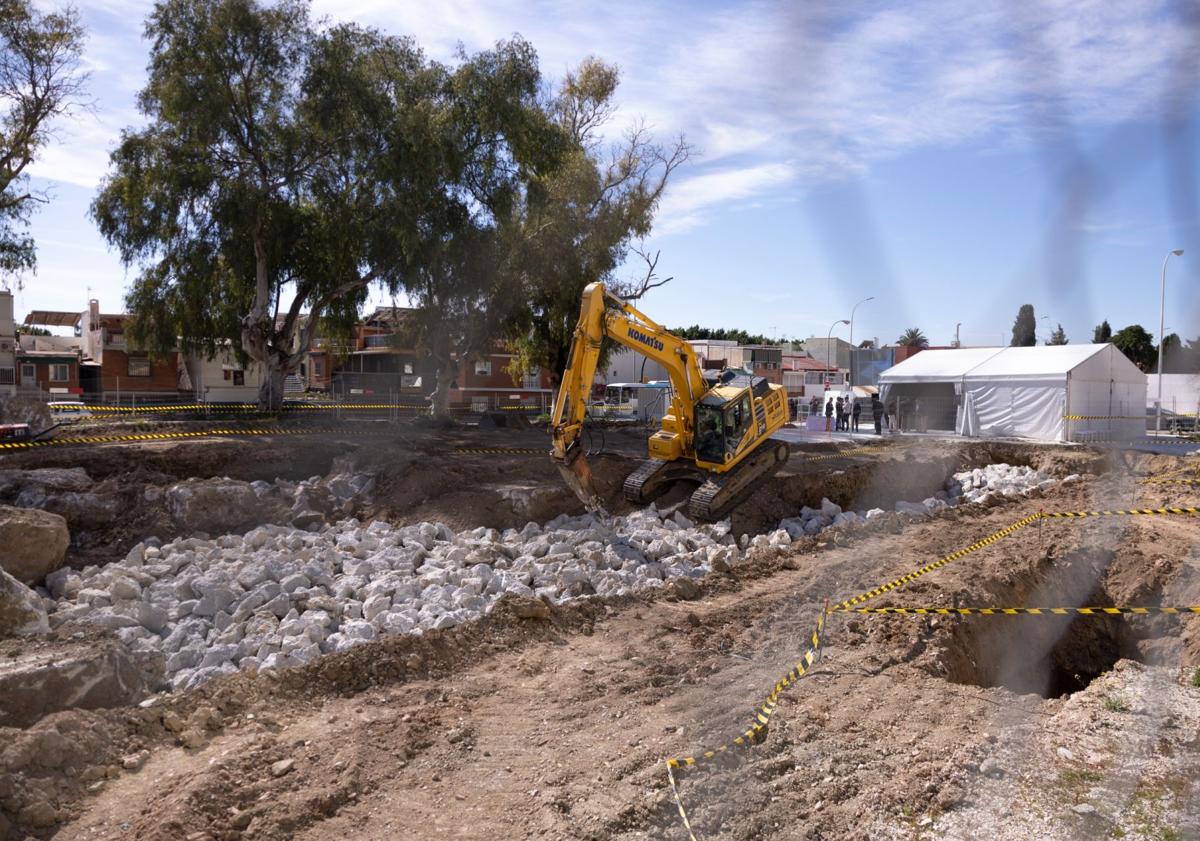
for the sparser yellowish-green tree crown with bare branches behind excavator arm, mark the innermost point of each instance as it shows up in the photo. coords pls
(575, 225)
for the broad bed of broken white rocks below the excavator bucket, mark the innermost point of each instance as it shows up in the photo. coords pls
(280, 597)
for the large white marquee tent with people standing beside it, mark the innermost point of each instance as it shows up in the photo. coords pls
(1047, 393)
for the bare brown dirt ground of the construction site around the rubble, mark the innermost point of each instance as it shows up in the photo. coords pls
(515, 728)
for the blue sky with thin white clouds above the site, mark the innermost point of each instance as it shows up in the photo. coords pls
(951, 163)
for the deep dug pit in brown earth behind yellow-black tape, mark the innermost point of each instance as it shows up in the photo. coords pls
(1047, 656)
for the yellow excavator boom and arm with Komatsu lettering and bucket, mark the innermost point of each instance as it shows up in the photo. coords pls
(626, 326)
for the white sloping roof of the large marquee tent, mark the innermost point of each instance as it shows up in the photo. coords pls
(1042, 362)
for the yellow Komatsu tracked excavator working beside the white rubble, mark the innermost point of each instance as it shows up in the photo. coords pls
(717, 434)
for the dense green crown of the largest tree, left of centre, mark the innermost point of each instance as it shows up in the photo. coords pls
(285, 161)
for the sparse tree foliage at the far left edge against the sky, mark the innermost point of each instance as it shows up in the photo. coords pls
(40, 80)
